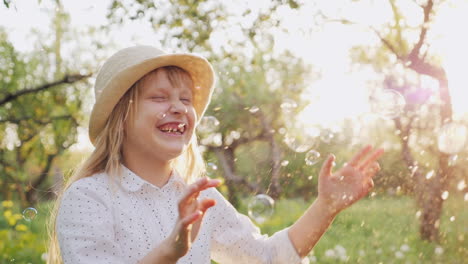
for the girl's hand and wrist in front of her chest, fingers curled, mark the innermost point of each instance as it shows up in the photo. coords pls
(191, 212)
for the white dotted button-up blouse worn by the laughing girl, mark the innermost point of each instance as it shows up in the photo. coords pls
(97, 225)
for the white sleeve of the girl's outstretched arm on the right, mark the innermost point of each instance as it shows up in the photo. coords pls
(235, 239)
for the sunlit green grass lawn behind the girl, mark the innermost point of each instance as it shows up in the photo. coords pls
(378, 230)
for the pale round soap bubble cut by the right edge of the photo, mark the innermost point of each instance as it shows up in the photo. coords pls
(452, 138)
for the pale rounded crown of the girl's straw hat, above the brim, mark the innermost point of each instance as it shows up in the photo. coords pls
(122, 60)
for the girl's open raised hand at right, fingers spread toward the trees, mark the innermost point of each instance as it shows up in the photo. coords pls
(351, 182)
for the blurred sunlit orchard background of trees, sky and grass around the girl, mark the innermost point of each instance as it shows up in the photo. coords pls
(296, 80)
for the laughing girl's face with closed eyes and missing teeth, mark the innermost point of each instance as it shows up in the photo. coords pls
(165, 118)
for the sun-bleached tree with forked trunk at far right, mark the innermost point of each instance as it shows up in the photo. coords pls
(420, 116)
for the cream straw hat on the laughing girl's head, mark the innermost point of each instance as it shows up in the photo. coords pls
(127, 66)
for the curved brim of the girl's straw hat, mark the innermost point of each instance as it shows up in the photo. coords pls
(199, 69)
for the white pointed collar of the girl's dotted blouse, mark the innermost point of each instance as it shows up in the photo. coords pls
(131, 182)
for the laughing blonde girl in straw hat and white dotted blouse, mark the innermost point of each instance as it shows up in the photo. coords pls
(139, 197)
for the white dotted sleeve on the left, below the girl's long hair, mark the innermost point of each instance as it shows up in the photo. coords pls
(85, 225)
